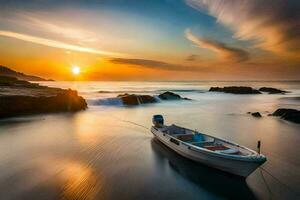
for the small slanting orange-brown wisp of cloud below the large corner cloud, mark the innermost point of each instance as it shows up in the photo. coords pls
(227, 52)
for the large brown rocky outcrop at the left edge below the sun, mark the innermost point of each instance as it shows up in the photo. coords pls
(23, 98)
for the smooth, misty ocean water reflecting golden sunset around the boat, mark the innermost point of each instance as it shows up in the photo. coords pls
(107, 152)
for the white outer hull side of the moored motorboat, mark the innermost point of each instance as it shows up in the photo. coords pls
(237, 167)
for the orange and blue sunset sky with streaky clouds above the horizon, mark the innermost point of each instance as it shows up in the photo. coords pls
(152, 40)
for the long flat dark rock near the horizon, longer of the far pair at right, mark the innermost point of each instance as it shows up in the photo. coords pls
(235, 90)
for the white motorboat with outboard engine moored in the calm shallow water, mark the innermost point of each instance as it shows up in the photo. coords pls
(208, 150)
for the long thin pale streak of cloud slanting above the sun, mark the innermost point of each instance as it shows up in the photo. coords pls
(55, 44)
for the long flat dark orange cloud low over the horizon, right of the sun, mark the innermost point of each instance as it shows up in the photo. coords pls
(154, 64)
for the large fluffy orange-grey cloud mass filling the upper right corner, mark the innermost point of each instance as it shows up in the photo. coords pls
(273, 24)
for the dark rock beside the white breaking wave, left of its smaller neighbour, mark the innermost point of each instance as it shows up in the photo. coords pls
(132, 99)
